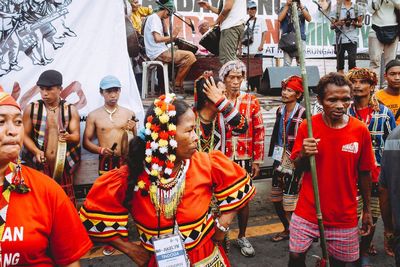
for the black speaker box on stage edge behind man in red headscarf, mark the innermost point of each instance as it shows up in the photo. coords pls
(273, 76)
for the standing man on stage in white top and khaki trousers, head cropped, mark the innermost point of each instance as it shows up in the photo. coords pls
(231, 19)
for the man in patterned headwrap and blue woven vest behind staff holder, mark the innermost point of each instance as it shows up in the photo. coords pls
(380, 122)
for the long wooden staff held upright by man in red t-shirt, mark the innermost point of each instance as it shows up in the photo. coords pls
(295, 17)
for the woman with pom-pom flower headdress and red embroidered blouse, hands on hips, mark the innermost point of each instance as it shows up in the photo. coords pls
(167, 187)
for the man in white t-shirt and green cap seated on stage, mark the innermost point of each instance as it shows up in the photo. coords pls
(156, 43)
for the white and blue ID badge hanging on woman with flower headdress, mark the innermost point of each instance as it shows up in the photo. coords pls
(170, 251)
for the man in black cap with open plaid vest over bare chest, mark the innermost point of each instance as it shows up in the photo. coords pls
(49, 124)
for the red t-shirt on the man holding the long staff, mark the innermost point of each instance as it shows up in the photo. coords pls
(341, 154)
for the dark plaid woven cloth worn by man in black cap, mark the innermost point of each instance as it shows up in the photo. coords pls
(39, 135)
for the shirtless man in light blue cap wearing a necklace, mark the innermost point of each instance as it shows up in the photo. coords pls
(108, 123)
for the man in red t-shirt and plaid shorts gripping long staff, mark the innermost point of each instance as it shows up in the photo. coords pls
(343, 153)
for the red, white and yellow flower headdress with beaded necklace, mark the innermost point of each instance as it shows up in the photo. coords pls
(160, 156)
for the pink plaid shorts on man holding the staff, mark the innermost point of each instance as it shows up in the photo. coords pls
(342, 243)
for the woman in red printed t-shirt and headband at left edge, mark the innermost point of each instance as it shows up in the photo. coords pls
(37, 218)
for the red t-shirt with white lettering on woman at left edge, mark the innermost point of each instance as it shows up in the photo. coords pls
(42, 227)
